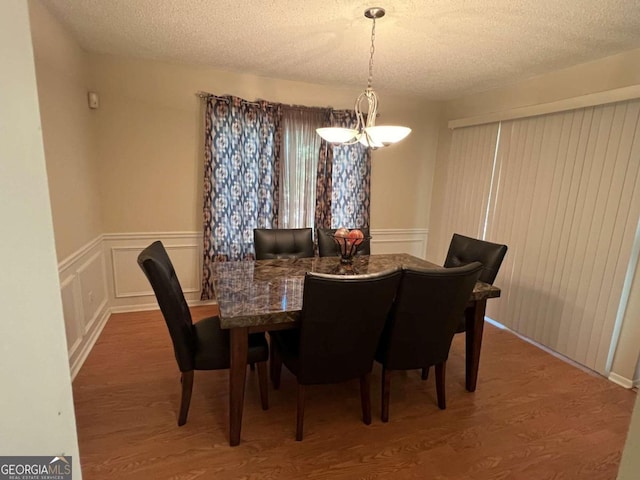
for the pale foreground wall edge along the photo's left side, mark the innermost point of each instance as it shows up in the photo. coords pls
(37, 405)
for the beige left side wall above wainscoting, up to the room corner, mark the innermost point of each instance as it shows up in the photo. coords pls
(63, 82)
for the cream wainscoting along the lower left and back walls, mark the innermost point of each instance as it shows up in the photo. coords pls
(103, 277)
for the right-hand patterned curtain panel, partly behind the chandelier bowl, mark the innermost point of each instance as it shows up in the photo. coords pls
(351, 179)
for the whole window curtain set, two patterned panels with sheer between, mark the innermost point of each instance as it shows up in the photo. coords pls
(243, 142)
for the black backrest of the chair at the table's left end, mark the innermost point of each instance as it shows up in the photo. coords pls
(157, 266)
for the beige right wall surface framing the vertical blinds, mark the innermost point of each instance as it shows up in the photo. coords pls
(607, 74)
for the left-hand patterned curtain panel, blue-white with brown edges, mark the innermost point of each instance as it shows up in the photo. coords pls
(242, 142)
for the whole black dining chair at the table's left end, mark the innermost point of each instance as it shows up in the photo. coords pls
(200, 346)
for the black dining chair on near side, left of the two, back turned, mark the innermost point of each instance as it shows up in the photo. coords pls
(340, 325)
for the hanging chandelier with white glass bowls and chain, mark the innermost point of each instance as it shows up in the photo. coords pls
(366, 131)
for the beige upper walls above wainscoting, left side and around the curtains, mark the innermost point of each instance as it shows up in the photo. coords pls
(136, 163)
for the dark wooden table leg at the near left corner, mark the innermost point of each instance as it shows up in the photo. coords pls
(237, 378)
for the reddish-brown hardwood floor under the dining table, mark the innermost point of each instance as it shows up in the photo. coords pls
(532, 417)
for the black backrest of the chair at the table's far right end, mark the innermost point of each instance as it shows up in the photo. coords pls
(464, 250)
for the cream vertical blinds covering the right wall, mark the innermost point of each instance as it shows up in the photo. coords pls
(565, 198)
